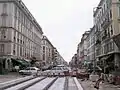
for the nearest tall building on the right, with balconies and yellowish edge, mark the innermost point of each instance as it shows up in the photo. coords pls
(107, 24)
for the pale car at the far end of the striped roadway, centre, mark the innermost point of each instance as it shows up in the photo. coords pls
(57, 71)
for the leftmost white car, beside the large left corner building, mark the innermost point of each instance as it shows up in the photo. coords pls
(29, 71)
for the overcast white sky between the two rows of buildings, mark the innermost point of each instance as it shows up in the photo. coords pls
(63, 21)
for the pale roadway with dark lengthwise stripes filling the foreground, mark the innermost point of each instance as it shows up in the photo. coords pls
(43, 83)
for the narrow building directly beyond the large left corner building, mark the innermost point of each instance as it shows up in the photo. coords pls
(47, 52)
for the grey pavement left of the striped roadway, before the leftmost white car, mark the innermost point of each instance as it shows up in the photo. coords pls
(10, 76)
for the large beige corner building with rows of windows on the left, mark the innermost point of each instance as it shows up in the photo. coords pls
(20, 34)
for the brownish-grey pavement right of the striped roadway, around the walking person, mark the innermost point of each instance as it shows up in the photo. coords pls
(89, 85)
